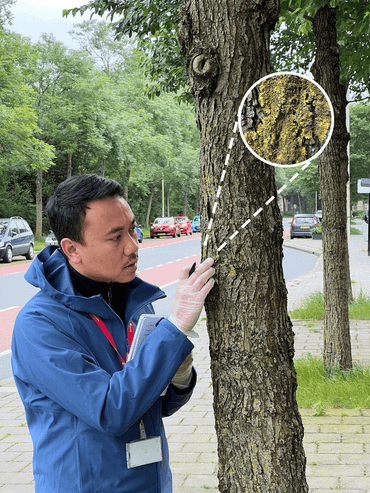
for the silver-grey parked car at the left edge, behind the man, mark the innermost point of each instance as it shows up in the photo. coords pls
(16, 238)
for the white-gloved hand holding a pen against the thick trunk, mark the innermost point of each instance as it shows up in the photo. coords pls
(190, 295)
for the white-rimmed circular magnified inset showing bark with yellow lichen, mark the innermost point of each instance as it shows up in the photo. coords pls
(286, 119)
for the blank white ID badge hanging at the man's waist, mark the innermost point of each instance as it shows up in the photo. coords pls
(143, 451)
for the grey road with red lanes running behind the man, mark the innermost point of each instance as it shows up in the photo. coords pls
(160, 262)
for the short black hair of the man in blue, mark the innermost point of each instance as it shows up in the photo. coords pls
(66, 208)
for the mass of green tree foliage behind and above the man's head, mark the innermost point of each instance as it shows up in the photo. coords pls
(101, 119)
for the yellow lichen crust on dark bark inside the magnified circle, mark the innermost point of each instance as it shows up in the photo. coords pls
(296, 111)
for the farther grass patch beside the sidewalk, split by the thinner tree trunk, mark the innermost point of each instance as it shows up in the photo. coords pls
(313, 308)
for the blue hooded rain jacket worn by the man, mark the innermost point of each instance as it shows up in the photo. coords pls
(81, 406)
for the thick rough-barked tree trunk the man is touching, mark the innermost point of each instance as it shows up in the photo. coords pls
(258, 425)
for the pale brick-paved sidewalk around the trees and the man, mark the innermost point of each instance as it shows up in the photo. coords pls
(337, 444)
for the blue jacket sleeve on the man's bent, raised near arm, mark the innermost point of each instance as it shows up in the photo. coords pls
(59, 367)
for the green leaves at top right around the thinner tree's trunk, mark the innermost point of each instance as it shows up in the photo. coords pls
(294, 36)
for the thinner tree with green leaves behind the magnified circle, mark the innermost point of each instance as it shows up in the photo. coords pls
(336, 68)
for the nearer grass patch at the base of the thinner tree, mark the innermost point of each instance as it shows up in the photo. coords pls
(317, 389)
